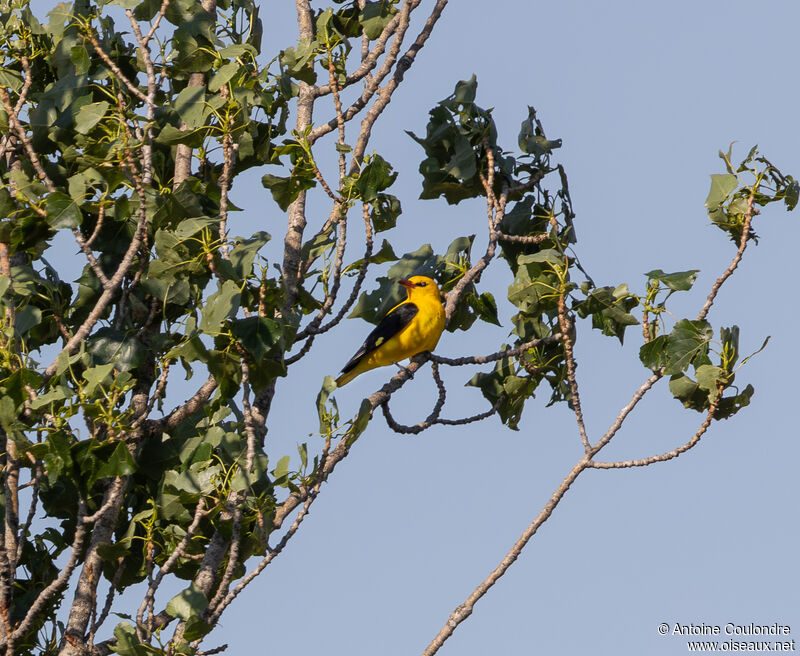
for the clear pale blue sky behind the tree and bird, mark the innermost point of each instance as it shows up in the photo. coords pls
(643, 95)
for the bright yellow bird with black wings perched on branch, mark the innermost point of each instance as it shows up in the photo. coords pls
(411, 327)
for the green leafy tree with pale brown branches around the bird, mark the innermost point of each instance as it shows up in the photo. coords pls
(129, 143)
